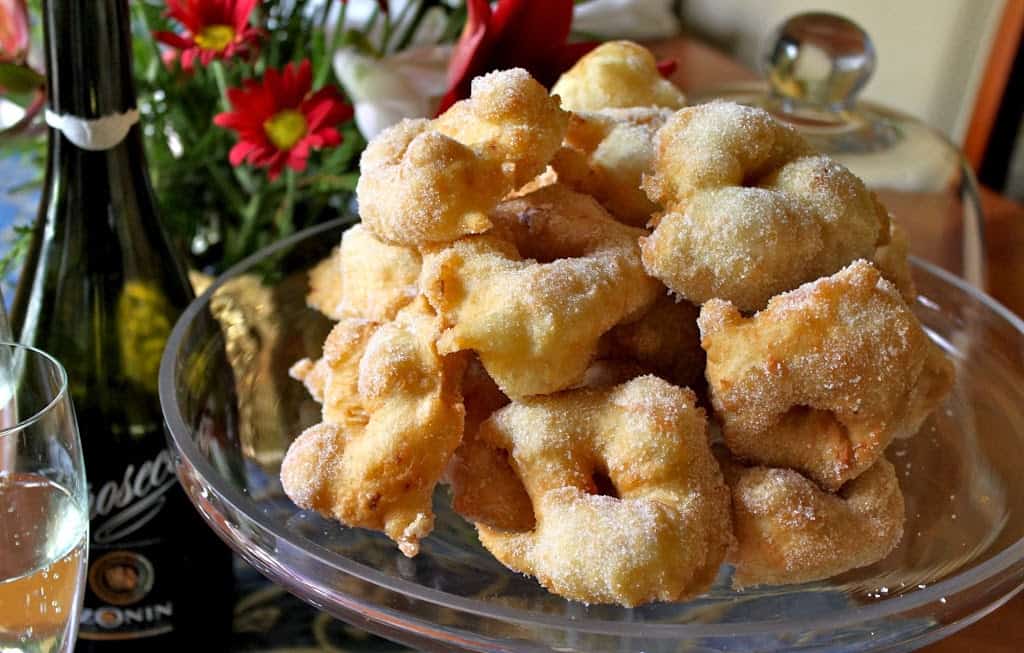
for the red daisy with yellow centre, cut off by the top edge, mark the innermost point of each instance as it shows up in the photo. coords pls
(215, 29)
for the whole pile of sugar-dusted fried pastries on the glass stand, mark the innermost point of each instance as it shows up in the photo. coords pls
(549, 297)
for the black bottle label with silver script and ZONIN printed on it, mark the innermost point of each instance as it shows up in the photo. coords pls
(126, 596)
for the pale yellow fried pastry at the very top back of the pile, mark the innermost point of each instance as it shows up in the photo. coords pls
(615, 75)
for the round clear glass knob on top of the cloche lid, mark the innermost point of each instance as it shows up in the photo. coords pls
(820, 61)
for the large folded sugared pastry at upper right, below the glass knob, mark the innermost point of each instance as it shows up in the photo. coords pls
(750, 211)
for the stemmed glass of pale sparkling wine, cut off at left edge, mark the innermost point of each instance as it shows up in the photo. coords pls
(45, 518)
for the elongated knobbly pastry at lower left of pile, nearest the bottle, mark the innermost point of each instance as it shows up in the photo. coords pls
(382, 475)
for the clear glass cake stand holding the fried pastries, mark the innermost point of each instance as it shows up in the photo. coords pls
(232, 411)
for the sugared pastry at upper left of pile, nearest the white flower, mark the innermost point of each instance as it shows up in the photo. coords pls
(434, 182)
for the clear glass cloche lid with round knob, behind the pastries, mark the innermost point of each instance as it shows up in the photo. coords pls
(815, 68)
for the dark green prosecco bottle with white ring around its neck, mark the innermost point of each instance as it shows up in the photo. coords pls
(101, 290)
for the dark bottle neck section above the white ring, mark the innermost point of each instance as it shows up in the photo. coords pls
(89, 58)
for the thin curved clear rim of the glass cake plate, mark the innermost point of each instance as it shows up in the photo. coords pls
(178, 428)
